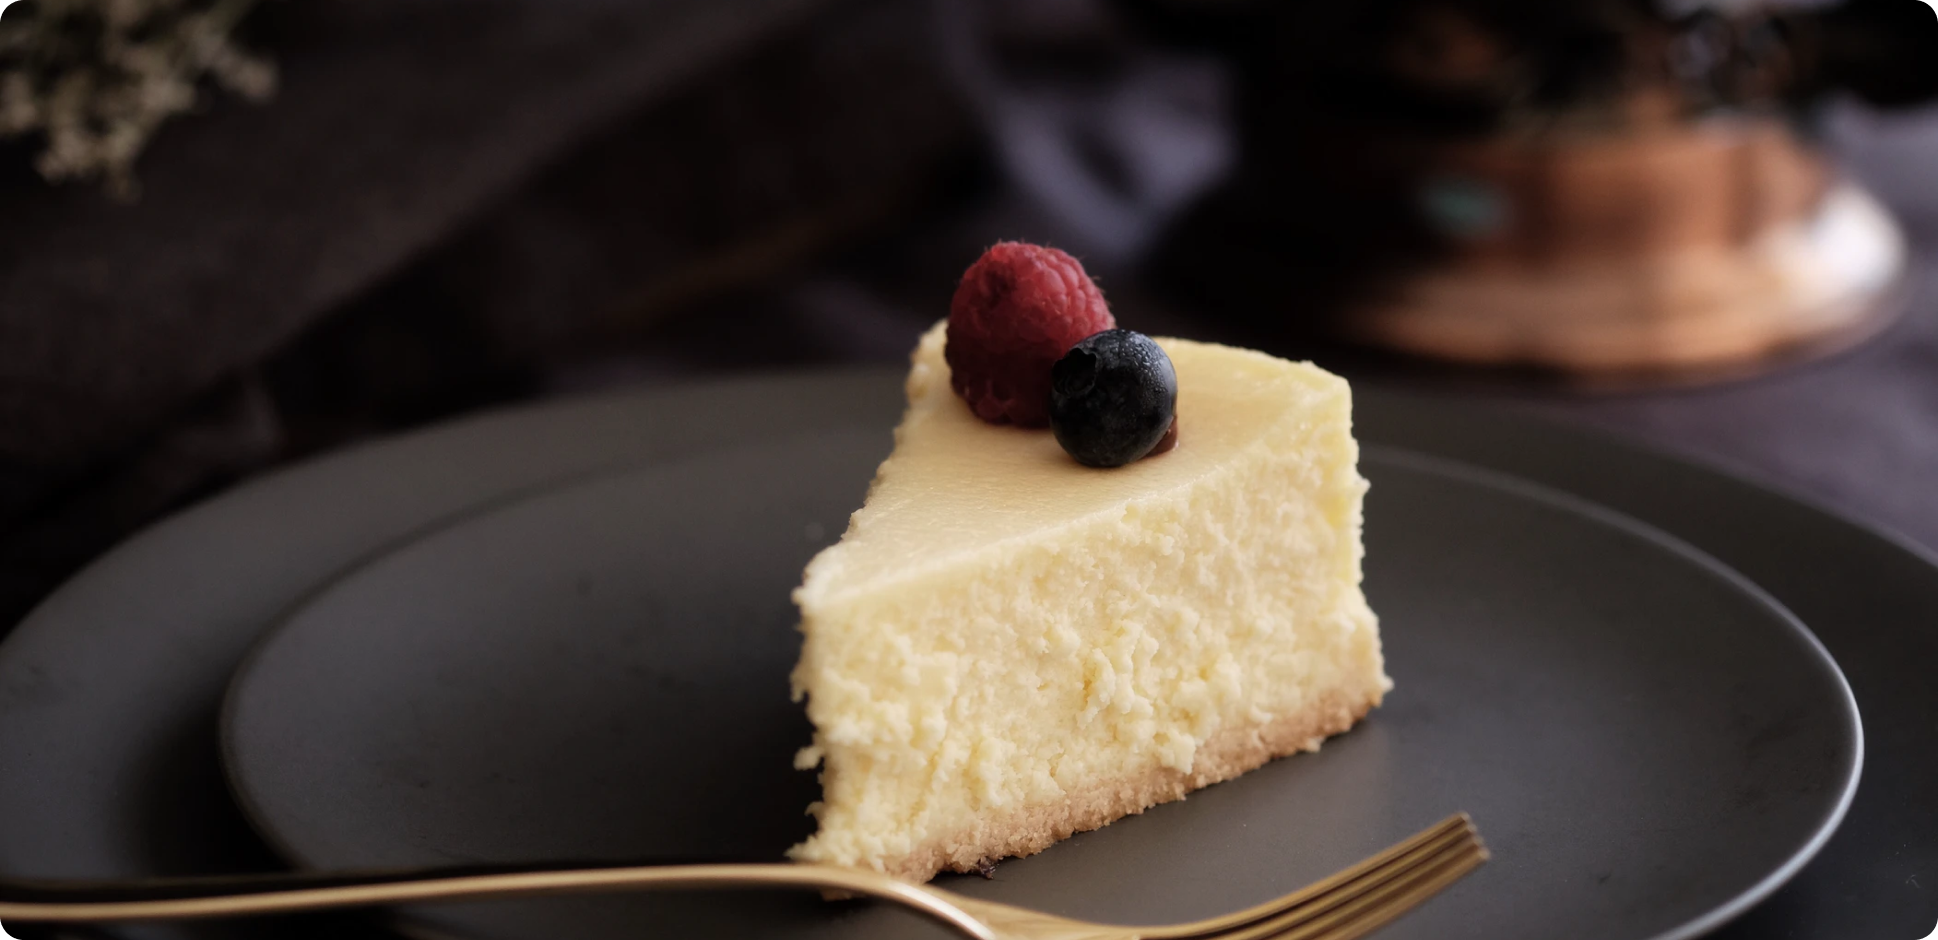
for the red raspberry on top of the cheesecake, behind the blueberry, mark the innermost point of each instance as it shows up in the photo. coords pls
(1016, 313)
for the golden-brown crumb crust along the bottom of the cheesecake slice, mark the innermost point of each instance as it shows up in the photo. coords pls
(1226, 755)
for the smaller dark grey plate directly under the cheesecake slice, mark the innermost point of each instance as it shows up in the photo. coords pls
(1644, 737)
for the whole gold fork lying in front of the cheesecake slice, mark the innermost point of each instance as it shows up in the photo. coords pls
(1340, 908)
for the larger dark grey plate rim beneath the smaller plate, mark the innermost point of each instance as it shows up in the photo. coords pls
(109, 691)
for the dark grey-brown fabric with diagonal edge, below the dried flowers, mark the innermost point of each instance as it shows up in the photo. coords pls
(398, 121)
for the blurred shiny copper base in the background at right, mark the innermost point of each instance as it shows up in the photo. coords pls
(1706, 245)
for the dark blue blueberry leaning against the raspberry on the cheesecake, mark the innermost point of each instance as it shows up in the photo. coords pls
(1113, 398)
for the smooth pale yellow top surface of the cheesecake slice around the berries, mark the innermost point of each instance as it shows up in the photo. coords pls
(958, 486)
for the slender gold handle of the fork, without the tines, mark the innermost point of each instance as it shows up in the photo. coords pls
(290, 893)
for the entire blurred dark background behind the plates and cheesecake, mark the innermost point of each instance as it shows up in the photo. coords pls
(237, 234)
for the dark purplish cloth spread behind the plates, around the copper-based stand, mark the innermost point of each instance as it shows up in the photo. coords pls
(456, 204)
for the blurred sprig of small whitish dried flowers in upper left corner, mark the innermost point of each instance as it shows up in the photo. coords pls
(96, 78)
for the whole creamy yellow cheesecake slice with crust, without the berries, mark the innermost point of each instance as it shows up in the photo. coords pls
(1009, 648)
